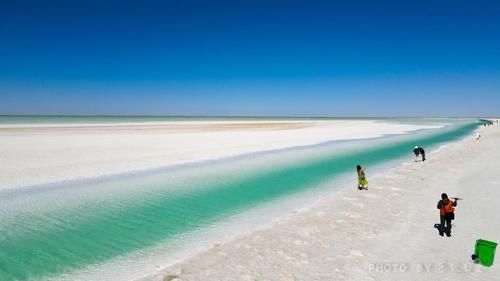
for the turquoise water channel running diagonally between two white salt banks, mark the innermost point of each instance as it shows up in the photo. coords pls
(66, 228)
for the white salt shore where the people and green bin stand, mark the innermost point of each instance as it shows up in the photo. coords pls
(385, 233)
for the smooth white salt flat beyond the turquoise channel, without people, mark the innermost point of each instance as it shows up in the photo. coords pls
(37, 154)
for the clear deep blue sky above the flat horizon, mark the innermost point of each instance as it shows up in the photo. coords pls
(272, 58)
